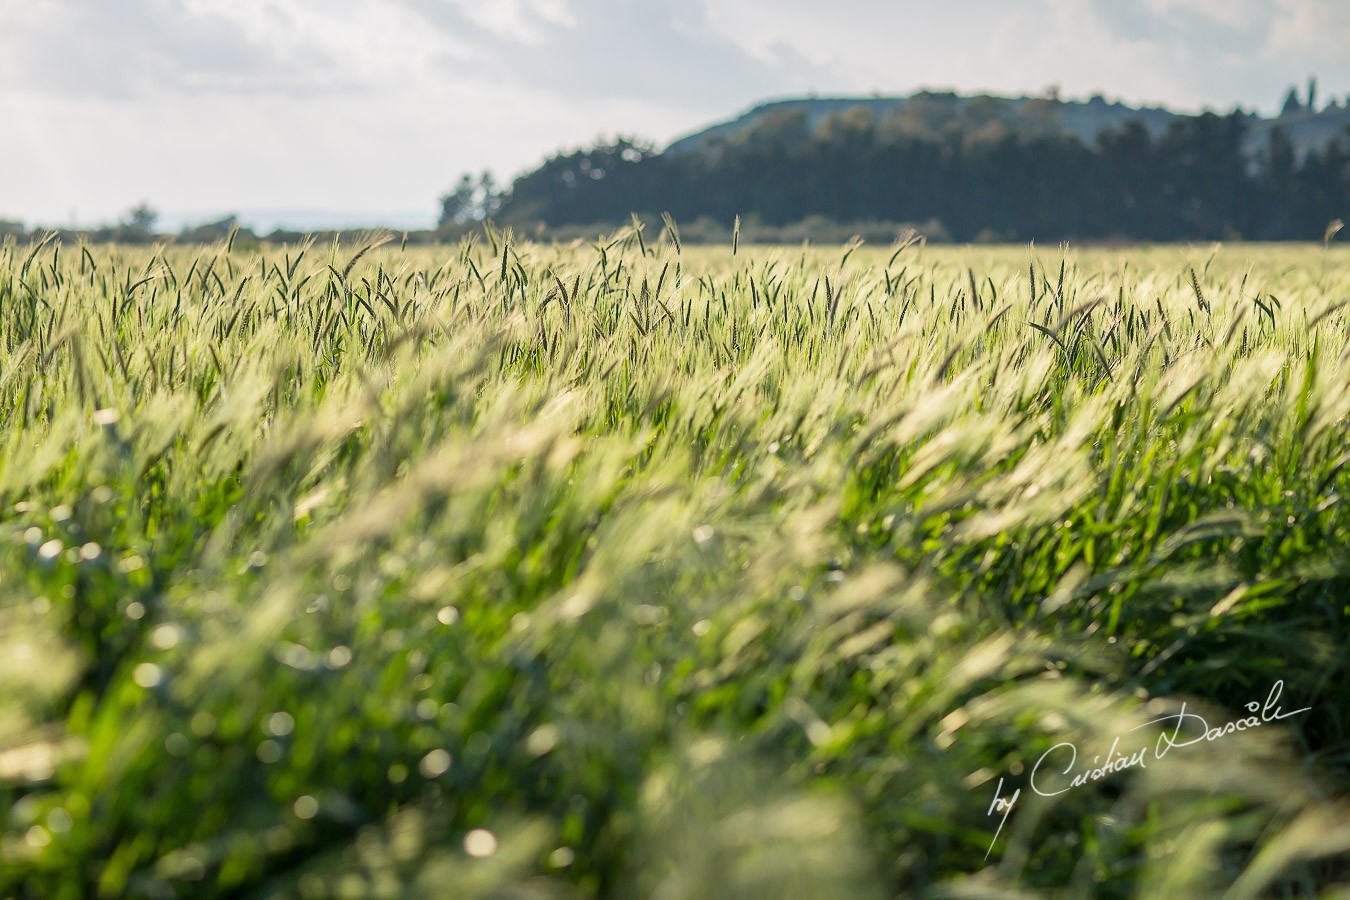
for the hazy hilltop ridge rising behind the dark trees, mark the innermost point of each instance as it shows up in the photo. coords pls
(1086, 119)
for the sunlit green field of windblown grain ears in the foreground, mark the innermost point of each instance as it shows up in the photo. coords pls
(642, 571)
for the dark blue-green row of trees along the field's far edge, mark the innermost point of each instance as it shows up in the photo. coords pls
(971, 179)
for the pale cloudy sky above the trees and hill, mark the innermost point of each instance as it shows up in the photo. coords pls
(325, 113)
